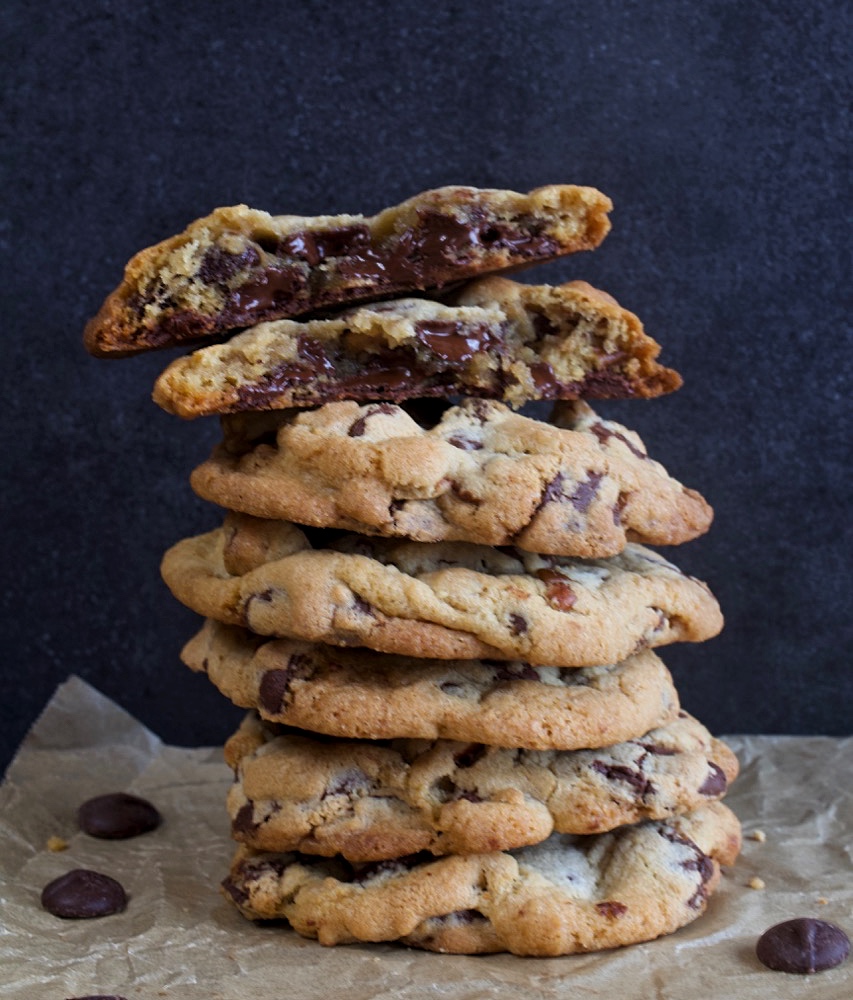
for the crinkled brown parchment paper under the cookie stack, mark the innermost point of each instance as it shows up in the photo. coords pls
(179, 938)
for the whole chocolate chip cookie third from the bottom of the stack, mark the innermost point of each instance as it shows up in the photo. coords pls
(365, 695)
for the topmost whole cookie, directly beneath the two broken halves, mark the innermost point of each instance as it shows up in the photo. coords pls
(481, 474)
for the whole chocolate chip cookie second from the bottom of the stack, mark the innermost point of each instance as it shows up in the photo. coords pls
(370, 801)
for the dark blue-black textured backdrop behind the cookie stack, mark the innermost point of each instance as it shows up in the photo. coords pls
(717, 128)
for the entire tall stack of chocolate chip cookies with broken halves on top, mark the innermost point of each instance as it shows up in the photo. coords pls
(442, 614)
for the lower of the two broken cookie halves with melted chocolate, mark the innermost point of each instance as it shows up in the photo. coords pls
(515, 343)
